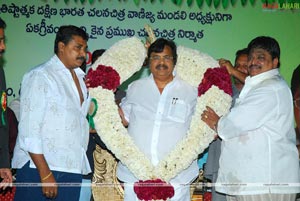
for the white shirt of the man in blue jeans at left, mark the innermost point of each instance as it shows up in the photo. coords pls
(52, 121)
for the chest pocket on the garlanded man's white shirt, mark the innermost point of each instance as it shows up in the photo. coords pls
(178, 110)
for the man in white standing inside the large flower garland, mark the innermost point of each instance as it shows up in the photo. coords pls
(158, 111)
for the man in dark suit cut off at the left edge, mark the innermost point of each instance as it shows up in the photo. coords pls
(5, 173)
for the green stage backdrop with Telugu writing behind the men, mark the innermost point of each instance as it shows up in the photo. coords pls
(218, 31)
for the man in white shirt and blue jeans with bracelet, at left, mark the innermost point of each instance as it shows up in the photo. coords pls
(53, 129)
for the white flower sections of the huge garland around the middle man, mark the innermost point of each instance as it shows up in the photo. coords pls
(126, 57)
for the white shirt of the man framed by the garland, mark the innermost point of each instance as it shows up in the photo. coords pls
(157, 122)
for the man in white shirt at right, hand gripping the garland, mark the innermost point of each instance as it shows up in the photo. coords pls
(259, 158)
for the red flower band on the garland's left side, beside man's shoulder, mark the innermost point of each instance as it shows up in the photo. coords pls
(104, 76)
